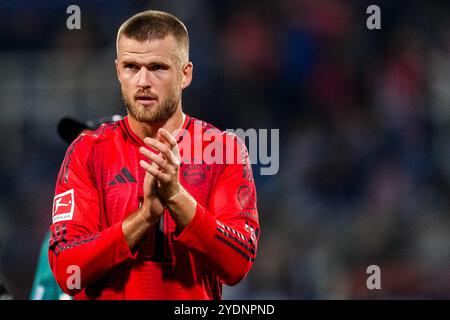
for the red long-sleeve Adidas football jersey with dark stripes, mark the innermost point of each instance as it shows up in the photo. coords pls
(100, 183)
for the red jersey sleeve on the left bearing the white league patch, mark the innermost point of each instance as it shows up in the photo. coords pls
(79, 251)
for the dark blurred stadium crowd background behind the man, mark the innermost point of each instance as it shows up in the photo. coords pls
(364, 119)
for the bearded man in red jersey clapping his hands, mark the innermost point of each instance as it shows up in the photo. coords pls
(139, 213)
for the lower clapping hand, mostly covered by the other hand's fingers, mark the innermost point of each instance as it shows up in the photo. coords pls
(152, 205)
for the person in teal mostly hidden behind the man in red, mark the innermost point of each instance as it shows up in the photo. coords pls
(44, 284)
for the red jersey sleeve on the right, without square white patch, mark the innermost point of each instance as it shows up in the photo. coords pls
(225, 233)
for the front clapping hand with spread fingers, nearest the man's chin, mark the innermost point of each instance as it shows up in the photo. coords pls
(165, 165)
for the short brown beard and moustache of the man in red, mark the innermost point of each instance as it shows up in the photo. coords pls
(159, 112)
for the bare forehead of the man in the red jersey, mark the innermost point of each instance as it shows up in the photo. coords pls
(165, 48)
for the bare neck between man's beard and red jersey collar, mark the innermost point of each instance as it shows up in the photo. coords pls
(150, 129)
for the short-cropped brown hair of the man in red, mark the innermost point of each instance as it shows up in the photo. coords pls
(152, 25)
